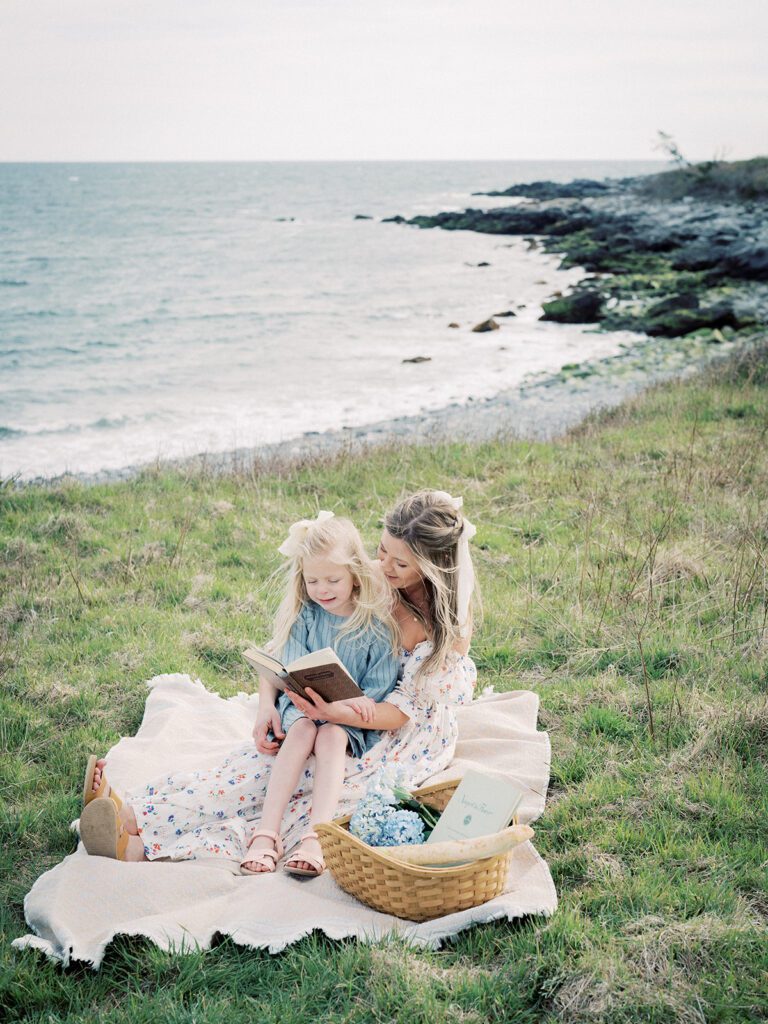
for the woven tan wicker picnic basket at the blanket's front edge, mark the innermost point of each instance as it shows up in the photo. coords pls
(406, 890)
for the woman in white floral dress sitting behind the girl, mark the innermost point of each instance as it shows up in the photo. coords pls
(424, 554)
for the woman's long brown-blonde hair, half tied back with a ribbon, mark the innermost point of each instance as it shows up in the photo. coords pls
(432, 527)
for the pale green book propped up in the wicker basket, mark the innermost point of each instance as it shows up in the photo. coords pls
(481, 805)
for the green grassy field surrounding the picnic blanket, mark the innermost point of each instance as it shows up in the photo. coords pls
(625, 578)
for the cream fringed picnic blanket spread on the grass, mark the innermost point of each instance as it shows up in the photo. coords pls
(80, 906)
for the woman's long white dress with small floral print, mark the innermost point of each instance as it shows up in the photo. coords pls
(214, 813)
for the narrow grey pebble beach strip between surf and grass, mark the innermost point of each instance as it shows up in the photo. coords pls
(543, 408)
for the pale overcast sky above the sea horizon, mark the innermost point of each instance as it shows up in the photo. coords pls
(381, 79)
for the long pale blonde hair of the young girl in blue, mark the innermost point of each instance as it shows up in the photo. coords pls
(339, 541)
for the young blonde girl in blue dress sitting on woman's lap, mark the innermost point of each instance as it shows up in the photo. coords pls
(334, 600)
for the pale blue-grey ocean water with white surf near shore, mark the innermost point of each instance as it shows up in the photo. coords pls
(158, 311)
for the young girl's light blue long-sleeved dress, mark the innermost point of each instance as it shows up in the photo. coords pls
(368, 657)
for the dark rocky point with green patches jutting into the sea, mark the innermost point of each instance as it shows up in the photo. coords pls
(676, 254)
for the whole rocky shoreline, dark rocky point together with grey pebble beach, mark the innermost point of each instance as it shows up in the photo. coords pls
(677, 260)
